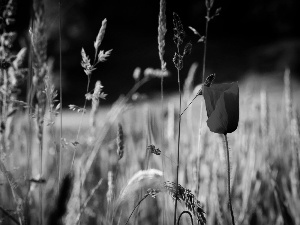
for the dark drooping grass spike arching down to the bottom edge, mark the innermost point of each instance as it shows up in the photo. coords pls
(188, 198)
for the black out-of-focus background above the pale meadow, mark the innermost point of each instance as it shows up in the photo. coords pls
(249, 36)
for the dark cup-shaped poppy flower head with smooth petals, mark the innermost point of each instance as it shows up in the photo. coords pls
(222, 106)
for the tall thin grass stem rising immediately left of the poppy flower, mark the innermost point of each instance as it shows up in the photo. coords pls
(201, 104)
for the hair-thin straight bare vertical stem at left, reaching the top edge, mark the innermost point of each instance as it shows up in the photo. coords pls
(60, 87)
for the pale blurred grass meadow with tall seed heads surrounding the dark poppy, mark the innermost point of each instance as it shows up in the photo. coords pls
(143, 158)
